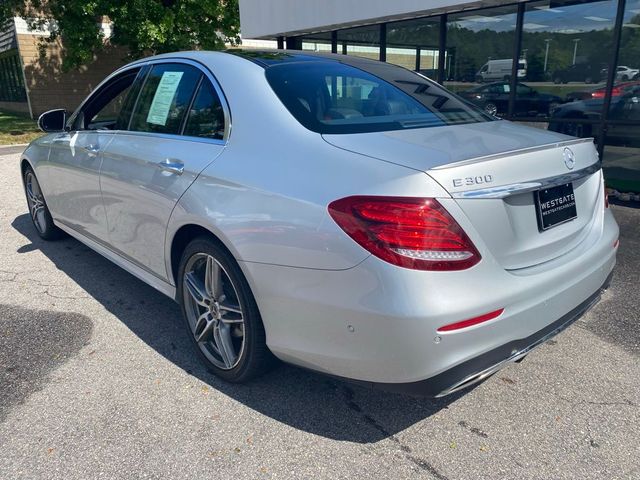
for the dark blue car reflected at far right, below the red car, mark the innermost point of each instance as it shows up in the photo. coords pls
(587, 113)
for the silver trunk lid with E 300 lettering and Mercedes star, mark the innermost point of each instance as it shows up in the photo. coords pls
(492, 171)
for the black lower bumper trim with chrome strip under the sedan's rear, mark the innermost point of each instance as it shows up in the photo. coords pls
(483, 366)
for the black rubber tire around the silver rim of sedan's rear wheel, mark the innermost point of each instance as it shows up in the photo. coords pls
(255, 358)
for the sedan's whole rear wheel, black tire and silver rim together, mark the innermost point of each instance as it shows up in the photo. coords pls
(221, 314)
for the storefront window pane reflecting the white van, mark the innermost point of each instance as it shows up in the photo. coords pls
(479, 56)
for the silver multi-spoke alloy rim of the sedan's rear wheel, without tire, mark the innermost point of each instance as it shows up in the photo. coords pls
(213, 311)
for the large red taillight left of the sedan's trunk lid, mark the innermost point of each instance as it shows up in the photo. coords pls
(415, 233)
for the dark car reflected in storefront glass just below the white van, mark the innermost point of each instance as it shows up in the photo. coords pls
(493, 98)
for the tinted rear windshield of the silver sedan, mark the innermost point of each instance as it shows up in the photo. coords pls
(332, 97)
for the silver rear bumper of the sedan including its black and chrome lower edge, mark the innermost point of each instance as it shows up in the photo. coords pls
(378, 324)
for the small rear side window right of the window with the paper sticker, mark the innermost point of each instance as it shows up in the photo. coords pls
(206, 116)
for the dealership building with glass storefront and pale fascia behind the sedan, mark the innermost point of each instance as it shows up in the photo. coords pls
(574, 64)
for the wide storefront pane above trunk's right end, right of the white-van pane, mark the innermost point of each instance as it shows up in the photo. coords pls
(566, 47)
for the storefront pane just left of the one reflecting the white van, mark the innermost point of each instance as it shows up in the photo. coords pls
(414, 44)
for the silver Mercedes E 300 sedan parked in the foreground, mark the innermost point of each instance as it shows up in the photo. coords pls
(337, 213)
